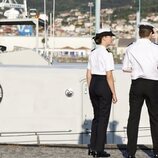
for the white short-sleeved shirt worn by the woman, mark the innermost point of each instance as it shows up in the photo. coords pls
(100, 61)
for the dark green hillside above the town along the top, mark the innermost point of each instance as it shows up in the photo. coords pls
(122, 7)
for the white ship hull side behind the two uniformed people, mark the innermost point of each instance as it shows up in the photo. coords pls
(34, 107)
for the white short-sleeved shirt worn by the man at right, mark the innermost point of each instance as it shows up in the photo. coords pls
(141, 58)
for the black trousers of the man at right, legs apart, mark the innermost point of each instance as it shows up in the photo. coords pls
(142, 90)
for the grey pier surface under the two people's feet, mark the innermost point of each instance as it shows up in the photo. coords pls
(66, 151)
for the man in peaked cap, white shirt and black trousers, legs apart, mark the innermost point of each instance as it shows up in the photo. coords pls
(141, 59)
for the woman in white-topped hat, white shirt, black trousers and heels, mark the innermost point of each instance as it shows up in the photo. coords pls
(101, 90)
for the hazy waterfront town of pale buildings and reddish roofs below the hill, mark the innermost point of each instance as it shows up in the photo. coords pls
(78, 25)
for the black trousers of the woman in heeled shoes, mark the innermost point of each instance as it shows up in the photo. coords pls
(101, 98)
